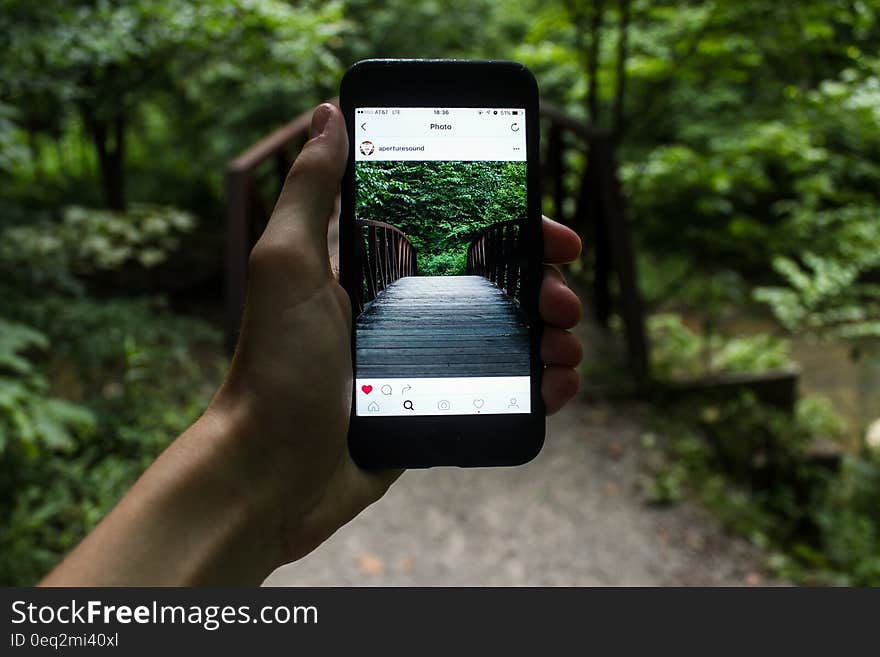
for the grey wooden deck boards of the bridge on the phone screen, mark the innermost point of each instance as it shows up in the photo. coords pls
(433, 326)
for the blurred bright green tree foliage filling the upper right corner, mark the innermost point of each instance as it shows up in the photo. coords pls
(746, 129)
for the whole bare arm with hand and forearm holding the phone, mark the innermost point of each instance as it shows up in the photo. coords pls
(264, 476)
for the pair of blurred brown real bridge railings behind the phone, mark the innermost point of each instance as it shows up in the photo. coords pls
(586, 198)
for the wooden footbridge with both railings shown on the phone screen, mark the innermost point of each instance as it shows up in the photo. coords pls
(441, 326)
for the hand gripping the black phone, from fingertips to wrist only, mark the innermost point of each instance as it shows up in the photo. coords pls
(291, 376)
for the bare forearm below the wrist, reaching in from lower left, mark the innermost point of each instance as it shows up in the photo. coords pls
(202, 513)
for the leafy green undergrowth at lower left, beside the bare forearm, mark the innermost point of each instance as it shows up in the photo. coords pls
(139, 378)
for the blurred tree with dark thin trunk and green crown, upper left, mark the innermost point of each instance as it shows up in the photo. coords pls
(105, 60)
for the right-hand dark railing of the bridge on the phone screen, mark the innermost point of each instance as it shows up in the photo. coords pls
(495, 254)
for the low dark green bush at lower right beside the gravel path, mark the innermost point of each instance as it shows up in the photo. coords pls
(751, 464)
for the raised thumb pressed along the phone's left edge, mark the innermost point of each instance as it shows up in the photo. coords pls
(298, 226)
